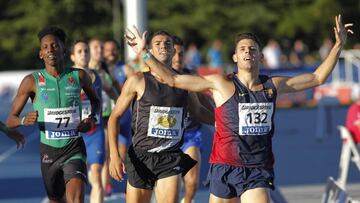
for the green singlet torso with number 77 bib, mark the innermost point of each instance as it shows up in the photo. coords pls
(59, 106)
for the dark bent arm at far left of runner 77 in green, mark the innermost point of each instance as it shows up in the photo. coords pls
(26, 90)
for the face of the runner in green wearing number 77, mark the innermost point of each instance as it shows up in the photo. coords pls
(51, 50)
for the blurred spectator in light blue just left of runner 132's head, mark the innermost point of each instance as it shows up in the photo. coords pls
(214, 56)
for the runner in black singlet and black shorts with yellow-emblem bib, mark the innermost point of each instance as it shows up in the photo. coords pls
(154, 161)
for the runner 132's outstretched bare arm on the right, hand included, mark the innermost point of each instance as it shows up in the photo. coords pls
(319, 76)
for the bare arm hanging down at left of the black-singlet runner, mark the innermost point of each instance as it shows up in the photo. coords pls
(128, 94)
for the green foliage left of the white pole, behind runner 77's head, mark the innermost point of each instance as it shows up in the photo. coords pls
(21, 20)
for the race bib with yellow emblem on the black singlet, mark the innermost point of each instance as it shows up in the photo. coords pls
(165, 122)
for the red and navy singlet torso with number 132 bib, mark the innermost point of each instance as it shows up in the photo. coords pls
(245, 126)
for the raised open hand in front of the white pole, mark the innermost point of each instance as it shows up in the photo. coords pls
(134, 40)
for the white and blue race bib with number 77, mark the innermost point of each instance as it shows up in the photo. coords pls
(61, 123)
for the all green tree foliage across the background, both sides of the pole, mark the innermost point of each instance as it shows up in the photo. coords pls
(199, 21)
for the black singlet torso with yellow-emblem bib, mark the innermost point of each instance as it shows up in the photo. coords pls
(158, 117)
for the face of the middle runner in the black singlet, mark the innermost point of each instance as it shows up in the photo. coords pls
(162, 48)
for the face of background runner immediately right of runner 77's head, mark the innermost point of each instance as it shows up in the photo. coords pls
(81, 55)
